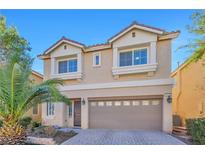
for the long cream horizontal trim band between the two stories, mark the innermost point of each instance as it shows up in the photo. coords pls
(123, 84)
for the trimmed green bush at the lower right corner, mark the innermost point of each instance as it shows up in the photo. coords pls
(196, 128)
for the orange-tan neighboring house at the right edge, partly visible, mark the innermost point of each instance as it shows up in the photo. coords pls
(189, 91)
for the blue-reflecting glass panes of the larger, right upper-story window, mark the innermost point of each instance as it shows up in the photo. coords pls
(133, 57)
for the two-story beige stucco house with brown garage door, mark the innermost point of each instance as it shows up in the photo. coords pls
(122, 84)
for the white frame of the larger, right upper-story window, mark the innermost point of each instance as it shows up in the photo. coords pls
(133, 50)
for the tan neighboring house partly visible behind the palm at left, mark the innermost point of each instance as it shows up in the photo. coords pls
(35, 112)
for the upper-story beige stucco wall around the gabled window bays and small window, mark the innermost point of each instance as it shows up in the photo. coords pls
(103, 73)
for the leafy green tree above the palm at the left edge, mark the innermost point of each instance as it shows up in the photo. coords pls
(11, 43)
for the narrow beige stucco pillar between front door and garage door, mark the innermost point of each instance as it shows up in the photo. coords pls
(84, 114)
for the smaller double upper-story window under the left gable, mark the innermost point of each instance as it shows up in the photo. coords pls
(67, 66)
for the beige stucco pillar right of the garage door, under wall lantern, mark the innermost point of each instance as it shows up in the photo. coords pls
(167, 114)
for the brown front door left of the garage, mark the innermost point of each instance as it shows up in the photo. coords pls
(77, 113)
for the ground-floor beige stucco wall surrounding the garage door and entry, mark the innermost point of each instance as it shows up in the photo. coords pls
(135, 91)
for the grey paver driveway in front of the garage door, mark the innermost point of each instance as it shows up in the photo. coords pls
(119, 137)
